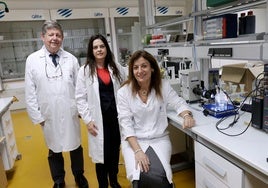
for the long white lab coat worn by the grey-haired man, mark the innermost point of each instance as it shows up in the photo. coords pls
(53, 99)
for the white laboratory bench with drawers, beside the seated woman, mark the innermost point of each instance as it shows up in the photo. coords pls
(222, 160)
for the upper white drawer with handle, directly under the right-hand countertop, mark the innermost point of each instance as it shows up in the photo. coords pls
(221, 168)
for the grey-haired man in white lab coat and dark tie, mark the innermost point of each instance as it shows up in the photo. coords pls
(50, 78)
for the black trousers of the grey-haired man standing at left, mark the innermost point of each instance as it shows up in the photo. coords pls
(56, 164)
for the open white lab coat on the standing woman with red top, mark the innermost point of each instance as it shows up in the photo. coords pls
(88, 104)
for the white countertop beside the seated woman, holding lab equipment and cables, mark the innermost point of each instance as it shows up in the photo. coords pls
(251, 148)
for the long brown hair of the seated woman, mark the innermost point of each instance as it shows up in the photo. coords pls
(156, 80)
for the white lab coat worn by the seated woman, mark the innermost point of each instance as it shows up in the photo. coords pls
(148, 123)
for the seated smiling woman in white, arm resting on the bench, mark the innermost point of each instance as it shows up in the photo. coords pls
(142, 105)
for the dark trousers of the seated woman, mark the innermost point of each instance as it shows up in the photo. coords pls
(155, 177)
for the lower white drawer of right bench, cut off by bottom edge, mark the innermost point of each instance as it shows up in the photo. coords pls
(204, 179)
